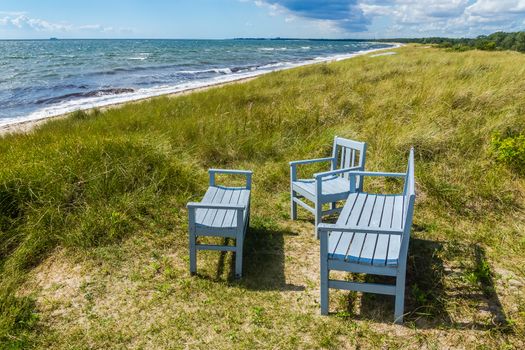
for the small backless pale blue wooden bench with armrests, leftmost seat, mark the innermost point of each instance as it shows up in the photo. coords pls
(222, 212)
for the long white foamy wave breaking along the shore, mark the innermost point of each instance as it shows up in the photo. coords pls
(106, 100)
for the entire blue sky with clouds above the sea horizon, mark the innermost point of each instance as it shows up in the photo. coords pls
(23, 19)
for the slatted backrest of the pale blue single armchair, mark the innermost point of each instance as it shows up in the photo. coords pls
(347, 154)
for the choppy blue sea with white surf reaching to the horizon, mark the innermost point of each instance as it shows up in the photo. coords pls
(49, 77)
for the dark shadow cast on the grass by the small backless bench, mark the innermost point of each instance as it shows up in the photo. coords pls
(263, 260)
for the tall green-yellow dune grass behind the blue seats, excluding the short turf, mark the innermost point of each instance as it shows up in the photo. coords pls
(98, 177)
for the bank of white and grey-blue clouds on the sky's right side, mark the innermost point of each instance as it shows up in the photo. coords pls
(402, 17)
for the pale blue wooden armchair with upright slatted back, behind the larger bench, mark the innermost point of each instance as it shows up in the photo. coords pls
(330, 186)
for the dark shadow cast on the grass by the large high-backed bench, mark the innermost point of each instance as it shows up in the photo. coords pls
(441, 278)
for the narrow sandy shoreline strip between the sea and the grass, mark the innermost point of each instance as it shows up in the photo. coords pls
(26, 126)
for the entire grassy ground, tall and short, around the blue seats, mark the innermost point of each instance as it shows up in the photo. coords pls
(93, 220)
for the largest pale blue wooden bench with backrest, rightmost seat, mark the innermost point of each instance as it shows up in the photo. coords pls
(370, 236)
